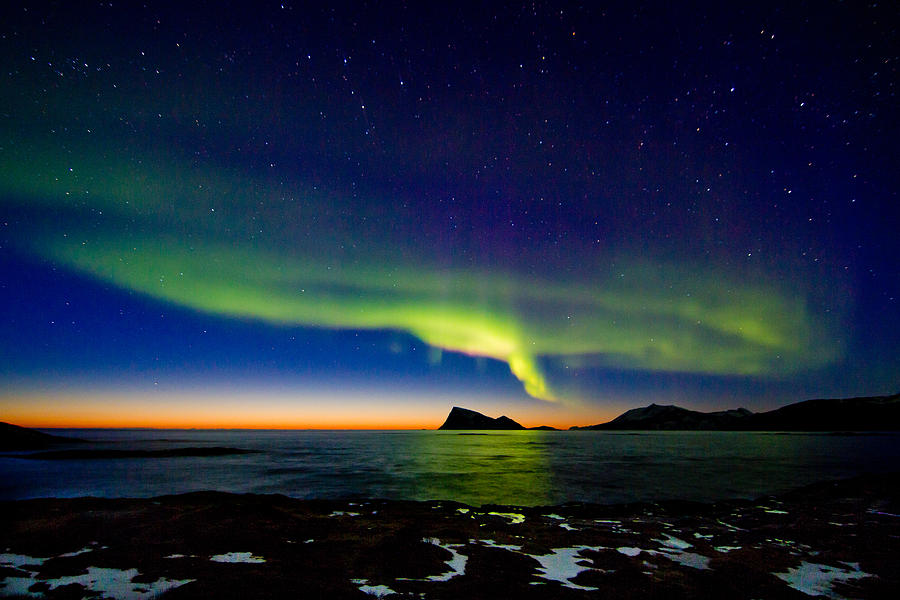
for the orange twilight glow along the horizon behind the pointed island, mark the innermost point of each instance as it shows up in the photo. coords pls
(256, 411)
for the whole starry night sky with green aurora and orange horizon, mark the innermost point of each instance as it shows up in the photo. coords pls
(359, 215)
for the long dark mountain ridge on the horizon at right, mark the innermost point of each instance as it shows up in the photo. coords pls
(870, 413)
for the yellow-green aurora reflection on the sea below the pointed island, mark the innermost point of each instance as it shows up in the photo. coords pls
(508, 467)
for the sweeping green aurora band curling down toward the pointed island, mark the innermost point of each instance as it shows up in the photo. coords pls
(243, 246)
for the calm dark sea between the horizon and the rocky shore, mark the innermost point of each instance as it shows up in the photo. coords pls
(522, 468)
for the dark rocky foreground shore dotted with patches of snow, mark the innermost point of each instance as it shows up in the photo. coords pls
(838, 539)
